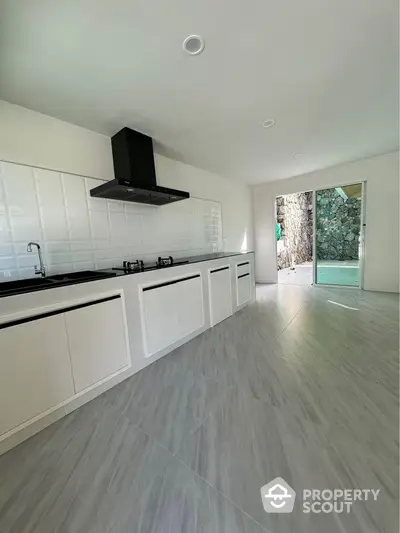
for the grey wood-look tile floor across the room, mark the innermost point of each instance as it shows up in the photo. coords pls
(302, 384)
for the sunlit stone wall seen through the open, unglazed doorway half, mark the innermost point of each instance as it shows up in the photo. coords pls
(294, 215)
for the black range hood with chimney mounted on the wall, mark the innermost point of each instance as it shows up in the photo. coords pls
(135, 173)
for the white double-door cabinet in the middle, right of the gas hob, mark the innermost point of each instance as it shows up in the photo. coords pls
(171, 310)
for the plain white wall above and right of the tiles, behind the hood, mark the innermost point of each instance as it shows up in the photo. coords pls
(40, 141)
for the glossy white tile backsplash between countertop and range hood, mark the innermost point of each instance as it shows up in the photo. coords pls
(78, 232)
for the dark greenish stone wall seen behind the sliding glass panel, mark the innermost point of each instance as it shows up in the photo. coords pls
(338, 226)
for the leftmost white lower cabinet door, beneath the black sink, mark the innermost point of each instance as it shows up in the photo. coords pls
(35, 370)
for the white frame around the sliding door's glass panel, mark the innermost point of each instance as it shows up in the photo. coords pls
(361, 248)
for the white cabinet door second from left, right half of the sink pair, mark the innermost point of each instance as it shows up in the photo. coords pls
(97, 340)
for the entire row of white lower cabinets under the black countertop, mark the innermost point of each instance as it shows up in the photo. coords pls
(46, 373)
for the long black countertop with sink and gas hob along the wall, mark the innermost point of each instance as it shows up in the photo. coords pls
(12, 288)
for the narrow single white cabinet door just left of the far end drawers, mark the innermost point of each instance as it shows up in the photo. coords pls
(220, 294)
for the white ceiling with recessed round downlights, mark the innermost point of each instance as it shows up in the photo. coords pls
(325, 70)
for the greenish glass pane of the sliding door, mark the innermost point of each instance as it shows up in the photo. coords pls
(338, 225)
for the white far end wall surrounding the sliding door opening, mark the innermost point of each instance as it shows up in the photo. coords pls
(381, 174)
